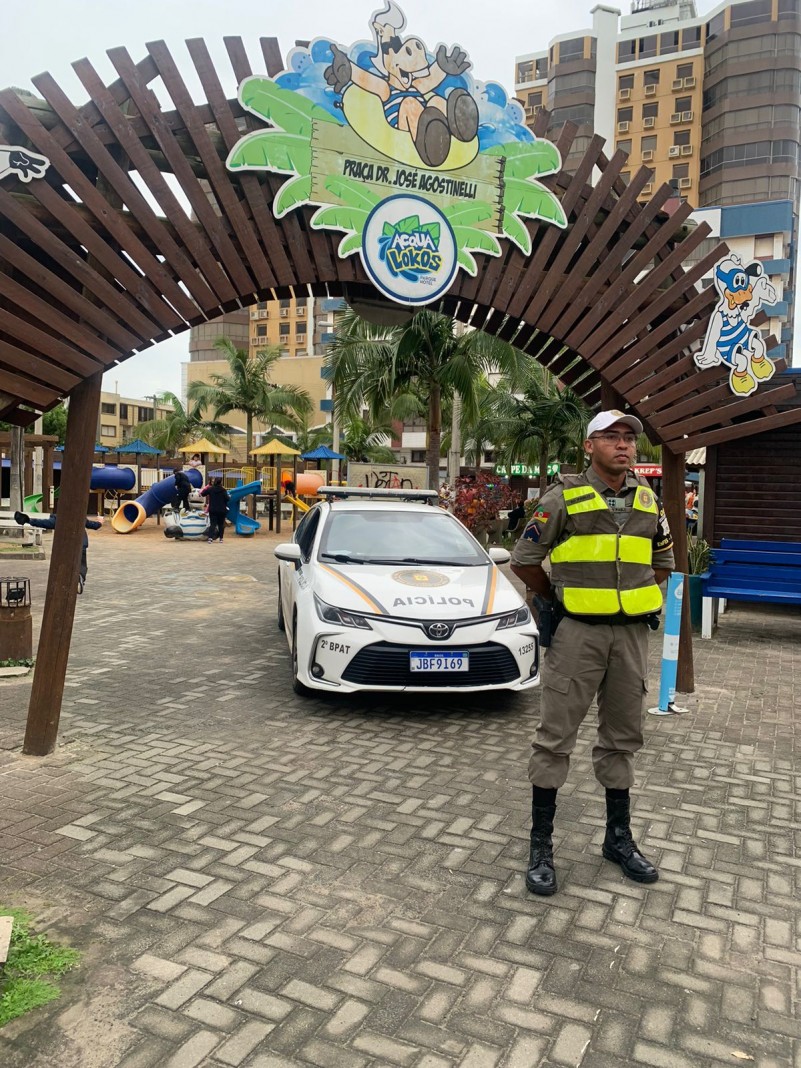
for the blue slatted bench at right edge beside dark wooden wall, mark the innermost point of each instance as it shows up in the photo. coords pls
(750, 572)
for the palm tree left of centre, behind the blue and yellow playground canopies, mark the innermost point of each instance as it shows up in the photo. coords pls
(247, 388)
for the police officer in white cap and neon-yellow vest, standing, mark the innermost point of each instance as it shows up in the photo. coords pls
(610, 547)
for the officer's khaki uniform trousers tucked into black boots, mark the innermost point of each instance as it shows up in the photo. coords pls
(584, 661)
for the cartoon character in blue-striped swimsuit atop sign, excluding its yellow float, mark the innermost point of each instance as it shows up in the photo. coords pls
(405, 83)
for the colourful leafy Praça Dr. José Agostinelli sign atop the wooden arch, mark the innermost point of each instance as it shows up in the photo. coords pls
(419, 165)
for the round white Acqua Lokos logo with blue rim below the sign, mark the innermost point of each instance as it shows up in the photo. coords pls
(410, 250)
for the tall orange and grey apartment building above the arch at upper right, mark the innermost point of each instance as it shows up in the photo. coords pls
(711, 104)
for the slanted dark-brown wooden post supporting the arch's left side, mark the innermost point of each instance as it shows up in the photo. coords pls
(48, 692)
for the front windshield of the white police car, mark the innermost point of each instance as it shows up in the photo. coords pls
(385, 537)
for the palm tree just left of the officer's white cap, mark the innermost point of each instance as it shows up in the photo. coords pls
(544, 422)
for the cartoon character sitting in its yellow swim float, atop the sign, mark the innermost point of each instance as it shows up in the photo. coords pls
(421, 127)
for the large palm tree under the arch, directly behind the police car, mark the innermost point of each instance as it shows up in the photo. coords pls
(398, 373)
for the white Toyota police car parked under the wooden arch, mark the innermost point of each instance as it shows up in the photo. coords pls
(382, 590)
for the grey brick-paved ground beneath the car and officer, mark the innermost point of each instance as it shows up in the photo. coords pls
(261, 881)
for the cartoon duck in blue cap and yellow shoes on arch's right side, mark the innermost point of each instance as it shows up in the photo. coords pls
(730, 338)
